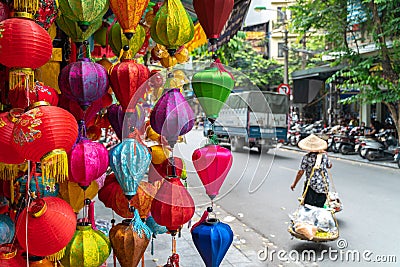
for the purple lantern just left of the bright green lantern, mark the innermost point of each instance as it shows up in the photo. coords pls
(172, 116)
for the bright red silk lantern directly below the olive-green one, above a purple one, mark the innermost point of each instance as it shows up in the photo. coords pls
(126, 80)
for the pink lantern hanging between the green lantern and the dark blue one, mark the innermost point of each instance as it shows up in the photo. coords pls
(212, 164)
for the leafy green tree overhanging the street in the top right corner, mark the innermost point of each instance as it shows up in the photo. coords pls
(375, 75)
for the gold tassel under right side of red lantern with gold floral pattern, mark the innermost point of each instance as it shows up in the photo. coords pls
(55, 165)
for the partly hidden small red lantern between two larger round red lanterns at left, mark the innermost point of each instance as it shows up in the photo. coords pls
(40, 92)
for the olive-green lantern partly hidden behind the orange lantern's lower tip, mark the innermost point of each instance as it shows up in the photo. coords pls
(117, 40)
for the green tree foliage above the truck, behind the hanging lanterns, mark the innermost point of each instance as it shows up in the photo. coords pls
(240, 55)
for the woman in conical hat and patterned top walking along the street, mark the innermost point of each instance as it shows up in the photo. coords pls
(315, 164)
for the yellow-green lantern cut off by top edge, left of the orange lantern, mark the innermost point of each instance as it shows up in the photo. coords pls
(84, 12)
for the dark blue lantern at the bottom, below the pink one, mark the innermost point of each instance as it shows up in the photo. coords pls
(212, 239)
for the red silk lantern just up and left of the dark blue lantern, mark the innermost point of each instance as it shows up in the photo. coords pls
(172, 206)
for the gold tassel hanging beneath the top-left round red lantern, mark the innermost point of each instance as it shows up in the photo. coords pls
(21, 79)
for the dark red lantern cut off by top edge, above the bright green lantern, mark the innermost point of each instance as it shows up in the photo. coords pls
(212, 15)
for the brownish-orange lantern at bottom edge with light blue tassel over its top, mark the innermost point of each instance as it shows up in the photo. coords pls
(129, 240)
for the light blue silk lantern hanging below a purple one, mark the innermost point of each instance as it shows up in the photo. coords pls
(129, 160)
